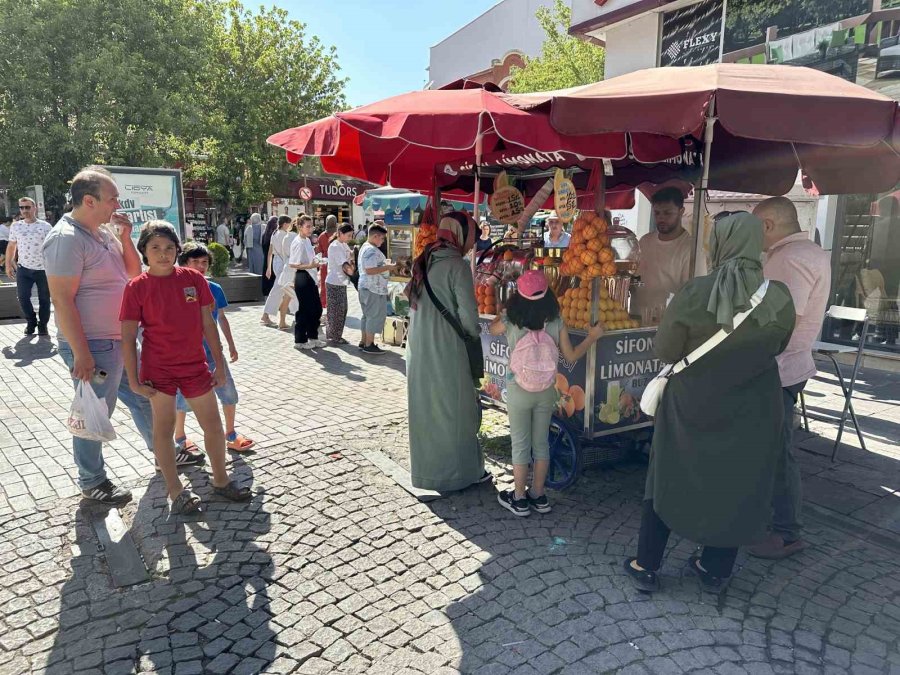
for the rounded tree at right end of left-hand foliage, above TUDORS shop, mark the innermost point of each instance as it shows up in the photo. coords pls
(265, 74)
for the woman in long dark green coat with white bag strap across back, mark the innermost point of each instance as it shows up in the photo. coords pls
(717, 437)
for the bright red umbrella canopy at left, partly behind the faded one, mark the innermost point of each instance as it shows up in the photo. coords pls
(399, 140)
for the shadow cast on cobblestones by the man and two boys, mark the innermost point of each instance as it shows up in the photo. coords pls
(206, 608)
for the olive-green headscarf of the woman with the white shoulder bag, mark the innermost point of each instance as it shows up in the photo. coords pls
(735, 248)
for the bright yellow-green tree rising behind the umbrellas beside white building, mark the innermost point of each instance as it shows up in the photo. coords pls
(565, 61)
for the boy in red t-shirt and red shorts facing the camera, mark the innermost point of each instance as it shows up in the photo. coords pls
(174, 307)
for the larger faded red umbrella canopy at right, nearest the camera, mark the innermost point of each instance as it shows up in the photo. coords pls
(772, 122)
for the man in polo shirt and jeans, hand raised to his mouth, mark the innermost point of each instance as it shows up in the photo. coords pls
(87, 269)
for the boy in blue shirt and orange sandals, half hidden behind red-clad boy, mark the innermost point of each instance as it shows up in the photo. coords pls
(197, 257)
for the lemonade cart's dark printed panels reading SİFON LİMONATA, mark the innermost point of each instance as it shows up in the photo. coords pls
(601, 393)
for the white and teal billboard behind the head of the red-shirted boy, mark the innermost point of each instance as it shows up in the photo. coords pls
(150, 194)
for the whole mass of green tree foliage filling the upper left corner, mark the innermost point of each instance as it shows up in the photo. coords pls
(198, 84)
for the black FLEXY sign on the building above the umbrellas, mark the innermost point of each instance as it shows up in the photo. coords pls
(692, 36)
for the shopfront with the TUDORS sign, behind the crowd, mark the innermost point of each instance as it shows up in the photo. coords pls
(321, 197)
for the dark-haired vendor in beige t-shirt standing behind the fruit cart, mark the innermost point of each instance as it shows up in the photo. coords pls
(665, 264)
